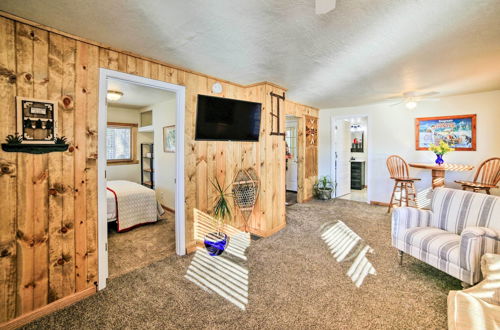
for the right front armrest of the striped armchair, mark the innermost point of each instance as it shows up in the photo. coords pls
(474, 243)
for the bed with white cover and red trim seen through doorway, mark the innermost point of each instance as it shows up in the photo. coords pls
(131, 204)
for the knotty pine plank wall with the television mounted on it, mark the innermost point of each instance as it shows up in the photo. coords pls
(48, 203)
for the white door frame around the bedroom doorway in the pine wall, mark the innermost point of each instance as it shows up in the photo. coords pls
(102, 228)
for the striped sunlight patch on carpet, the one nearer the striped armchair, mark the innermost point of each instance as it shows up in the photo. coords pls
(346, 246)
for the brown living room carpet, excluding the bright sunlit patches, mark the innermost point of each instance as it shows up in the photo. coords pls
(294, 282)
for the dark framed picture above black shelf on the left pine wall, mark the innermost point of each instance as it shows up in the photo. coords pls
(36, 120)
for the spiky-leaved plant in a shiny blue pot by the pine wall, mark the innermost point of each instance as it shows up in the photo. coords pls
(216, 242)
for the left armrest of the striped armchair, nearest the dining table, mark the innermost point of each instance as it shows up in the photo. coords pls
(404, 218)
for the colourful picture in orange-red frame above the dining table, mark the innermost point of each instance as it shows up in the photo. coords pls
(458, 131)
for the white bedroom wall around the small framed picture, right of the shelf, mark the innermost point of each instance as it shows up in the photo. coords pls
(164, 114)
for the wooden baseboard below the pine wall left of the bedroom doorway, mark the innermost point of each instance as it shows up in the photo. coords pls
(47, 309)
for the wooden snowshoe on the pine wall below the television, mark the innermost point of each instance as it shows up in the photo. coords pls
(245, 192)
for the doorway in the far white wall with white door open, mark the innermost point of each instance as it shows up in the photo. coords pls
(350, 157)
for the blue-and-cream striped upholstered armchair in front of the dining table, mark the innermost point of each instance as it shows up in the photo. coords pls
(460, 227)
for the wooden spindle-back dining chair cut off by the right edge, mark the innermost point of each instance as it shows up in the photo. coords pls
(487, 176)
